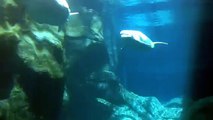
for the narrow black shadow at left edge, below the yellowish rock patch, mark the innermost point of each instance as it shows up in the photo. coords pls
(8, 64)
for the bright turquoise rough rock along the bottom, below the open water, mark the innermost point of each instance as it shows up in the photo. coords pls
(142, 108)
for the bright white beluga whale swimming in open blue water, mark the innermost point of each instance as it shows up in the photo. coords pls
(139, 37)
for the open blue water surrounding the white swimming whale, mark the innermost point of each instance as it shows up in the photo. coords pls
(164, 71)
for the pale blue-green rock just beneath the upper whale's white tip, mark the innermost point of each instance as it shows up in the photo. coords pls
(87, 24)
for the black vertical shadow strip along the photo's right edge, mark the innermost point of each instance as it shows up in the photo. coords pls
(200, 104)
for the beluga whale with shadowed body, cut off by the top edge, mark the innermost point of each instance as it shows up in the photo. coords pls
(52, 12)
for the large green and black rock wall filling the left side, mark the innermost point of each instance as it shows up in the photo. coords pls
(34, 52)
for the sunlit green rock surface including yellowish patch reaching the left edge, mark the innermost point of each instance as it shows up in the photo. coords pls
(36, 45)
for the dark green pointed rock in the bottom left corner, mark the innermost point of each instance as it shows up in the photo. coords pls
(16, 107)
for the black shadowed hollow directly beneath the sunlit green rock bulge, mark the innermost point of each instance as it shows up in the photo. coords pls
(44, 93)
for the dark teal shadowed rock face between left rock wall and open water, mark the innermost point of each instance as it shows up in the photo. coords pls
(84, 89)
